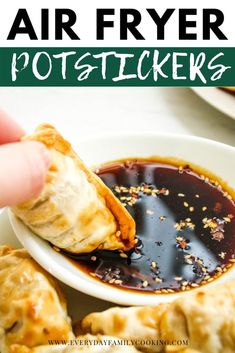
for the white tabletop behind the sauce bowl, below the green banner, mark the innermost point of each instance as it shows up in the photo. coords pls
(79, 112)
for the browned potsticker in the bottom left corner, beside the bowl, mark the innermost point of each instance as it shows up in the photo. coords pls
(32, 307)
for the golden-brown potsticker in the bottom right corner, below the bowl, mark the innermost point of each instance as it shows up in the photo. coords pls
(206, 318)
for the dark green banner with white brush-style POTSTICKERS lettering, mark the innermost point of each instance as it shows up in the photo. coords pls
(117, 66)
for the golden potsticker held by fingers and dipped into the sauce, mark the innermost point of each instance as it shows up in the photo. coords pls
(75, 211)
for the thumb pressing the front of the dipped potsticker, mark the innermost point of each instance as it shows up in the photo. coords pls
(23, 170)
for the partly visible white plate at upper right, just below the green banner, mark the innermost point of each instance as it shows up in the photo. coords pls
(218, 98)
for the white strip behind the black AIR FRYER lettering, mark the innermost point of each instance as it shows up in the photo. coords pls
(86, 22)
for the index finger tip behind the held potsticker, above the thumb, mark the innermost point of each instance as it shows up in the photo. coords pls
(10, 131)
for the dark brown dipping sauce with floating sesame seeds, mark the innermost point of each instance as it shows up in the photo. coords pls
(185, 228)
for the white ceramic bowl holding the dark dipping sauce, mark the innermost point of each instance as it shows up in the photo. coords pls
(214, 156)
